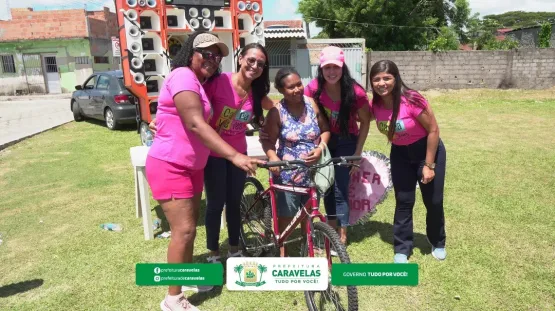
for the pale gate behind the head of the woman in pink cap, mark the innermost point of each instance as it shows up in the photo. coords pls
(308, 57)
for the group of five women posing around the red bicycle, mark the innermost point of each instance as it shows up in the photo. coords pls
(200, 143)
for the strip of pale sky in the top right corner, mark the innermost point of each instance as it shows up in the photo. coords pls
(487, 7)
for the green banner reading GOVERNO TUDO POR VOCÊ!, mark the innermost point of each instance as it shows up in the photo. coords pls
(374, 274)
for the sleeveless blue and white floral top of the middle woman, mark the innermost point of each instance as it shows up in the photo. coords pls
(297, 137)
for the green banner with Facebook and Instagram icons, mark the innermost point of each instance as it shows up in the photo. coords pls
(155, 274)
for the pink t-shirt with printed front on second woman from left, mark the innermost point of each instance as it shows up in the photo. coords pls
(231, 115)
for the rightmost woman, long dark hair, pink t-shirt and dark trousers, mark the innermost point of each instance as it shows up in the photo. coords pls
(417, 155)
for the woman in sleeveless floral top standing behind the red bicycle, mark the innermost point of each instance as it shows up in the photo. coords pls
(300, 127)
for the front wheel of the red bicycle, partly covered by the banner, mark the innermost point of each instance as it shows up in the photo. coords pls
(335, 297)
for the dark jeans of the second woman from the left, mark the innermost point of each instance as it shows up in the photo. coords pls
(223, 183)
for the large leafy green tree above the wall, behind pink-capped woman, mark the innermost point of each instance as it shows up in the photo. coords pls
(386, 25)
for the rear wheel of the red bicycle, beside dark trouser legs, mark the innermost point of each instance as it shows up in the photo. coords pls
(256, 219)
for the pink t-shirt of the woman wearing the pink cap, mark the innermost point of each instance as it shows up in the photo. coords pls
(332, 108)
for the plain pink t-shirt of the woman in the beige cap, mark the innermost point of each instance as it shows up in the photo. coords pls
(173, 142)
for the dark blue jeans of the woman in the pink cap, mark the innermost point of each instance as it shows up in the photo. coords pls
(336, 200)
